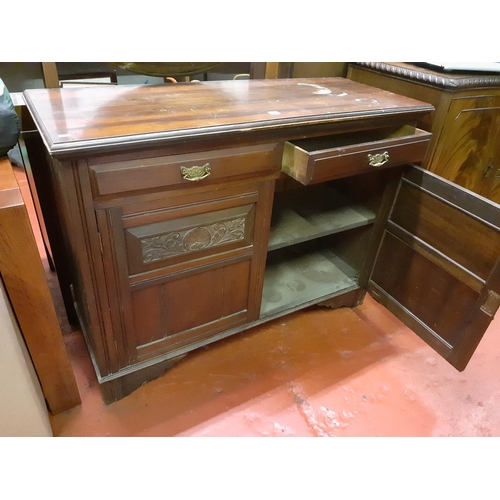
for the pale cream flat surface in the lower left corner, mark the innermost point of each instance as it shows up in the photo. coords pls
(22, 407)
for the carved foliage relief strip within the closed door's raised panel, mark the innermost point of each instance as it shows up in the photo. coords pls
(191, 240)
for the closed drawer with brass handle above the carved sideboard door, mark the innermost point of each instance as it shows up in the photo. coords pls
(184, 170)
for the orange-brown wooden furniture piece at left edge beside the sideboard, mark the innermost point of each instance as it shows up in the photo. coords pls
(22, 272)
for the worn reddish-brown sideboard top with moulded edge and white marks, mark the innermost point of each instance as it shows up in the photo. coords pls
(77, 120)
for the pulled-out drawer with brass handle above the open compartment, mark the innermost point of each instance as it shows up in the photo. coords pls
(325, 158)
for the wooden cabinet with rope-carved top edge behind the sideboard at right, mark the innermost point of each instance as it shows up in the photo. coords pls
(465, 125)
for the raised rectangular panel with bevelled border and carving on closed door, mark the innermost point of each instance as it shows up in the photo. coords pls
(176, 240)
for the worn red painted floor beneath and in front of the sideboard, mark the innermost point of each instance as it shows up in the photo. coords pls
(318, 372)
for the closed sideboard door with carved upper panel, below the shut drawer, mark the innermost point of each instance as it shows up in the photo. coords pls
(186, 270)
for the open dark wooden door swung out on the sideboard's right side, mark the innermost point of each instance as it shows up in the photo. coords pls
(438, 264)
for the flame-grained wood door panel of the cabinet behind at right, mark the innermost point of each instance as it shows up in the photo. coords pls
(467, 143)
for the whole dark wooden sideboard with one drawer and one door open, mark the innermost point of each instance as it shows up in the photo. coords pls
(193, 212)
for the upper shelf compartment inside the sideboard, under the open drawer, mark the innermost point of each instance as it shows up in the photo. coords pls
(311, 213)
